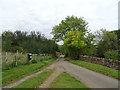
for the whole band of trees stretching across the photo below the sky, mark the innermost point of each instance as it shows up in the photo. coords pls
(74, 33)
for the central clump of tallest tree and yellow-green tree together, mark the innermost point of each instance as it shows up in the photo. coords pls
(77, 39)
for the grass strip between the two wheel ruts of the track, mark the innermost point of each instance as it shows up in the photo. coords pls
(35, 81)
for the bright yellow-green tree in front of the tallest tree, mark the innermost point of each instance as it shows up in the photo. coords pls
(74, 43)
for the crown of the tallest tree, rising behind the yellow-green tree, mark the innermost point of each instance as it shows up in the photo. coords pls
(70, 23)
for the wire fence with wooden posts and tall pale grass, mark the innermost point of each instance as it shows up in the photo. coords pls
(10, 60)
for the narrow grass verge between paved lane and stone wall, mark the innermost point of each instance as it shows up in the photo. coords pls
(98, 68)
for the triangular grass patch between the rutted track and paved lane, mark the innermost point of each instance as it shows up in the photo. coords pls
(64, 80)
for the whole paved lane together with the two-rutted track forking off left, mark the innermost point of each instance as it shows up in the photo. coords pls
(90, 78)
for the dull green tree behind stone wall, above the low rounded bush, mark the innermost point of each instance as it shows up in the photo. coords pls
(107, 41)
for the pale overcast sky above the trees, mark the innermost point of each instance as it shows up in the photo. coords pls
(42, 15)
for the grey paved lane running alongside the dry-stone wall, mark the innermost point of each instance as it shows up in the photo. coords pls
(90, 78)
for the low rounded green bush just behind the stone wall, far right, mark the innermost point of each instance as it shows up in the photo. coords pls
(111, 54)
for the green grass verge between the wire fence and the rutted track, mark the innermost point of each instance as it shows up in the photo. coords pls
(19, 72)
